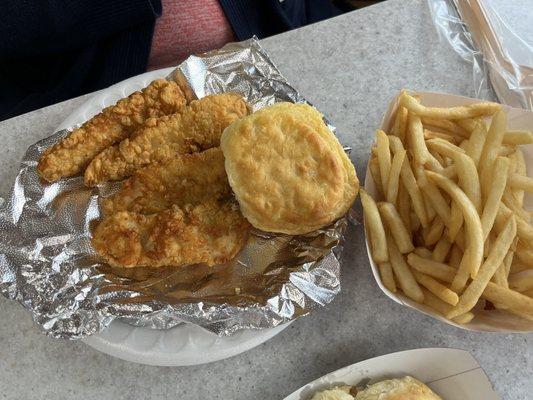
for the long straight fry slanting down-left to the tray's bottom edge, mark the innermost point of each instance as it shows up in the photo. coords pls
(473, 292)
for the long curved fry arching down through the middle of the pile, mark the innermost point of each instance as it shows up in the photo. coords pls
(472, 220)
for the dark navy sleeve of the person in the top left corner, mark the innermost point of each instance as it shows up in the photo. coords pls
(32, 27)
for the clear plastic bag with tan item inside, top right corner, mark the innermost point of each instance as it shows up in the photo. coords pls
(502, 59)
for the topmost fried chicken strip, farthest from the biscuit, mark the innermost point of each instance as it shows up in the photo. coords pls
(115, 123)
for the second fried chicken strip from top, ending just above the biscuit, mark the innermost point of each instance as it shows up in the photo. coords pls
(197, 127)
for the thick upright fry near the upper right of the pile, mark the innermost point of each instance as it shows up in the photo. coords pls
(490, 151)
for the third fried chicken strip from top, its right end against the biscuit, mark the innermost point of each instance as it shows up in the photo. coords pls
(189, 178)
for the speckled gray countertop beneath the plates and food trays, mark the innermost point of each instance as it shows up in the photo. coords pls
(349, 67)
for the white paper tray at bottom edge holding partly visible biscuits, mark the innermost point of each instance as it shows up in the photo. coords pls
(452, 374)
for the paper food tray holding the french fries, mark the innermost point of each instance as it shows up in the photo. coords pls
(489, 321)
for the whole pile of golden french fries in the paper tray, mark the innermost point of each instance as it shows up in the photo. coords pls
(447, 226)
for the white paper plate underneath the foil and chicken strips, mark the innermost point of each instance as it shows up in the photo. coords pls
(185, 344)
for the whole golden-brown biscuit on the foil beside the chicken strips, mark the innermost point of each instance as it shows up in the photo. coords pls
(288, 171)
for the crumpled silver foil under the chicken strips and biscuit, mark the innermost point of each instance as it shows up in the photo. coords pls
(48, 265)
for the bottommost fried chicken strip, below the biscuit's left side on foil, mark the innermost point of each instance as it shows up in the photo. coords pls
(211, 233)
